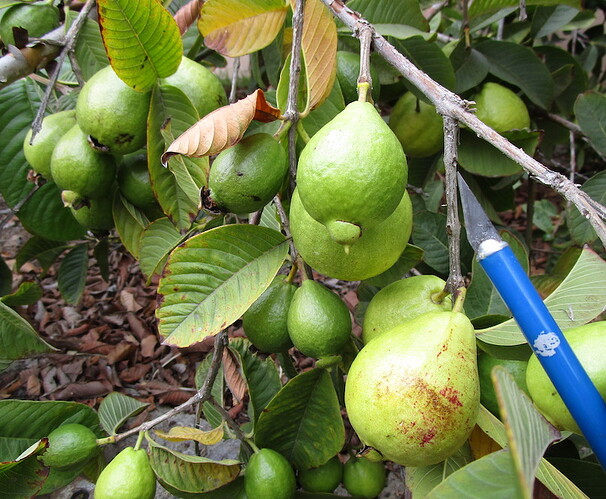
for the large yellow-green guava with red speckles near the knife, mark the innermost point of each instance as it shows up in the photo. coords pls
(413, 393)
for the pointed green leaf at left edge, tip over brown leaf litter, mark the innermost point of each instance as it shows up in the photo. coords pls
(18, 339)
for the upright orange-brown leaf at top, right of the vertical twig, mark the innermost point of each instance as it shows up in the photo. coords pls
(319, 46)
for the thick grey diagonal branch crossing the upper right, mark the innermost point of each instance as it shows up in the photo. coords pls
(449, 104)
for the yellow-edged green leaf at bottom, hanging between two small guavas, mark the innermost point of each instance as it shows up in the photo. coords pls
(184, 473)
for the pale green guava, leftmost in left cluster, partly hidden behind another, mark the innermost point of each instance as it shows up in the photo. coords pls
(38, 154)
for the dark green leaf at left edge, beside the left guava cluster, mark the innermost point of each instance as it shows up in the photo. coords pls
(19, 103)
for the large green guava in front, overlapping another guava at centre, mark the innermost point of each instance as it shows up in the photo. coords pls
(352, 174)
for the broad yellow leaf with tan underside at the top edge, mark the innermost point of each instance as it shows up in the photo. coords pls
(238, 27)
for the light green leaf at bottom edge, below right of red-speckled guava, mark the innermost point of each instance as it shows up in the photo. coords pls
(490, 476)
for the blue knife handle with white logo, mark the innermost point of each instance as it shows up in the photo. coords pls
(550, 346)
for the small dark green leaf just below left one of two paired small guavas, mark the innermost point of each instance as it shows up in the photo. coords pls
(261, 376)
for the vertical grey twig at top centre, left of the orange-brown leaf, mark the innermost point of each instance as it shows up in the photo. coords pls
(292, 113)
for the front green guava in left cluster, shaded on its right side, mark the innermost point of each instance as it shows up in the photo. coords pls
(76, 166)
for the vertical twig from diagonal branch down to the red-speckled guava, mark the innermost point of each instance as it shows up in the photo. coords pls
(453, 224)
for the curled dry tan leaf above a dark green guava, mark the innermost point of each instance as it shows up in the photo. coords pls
(222, 128)
